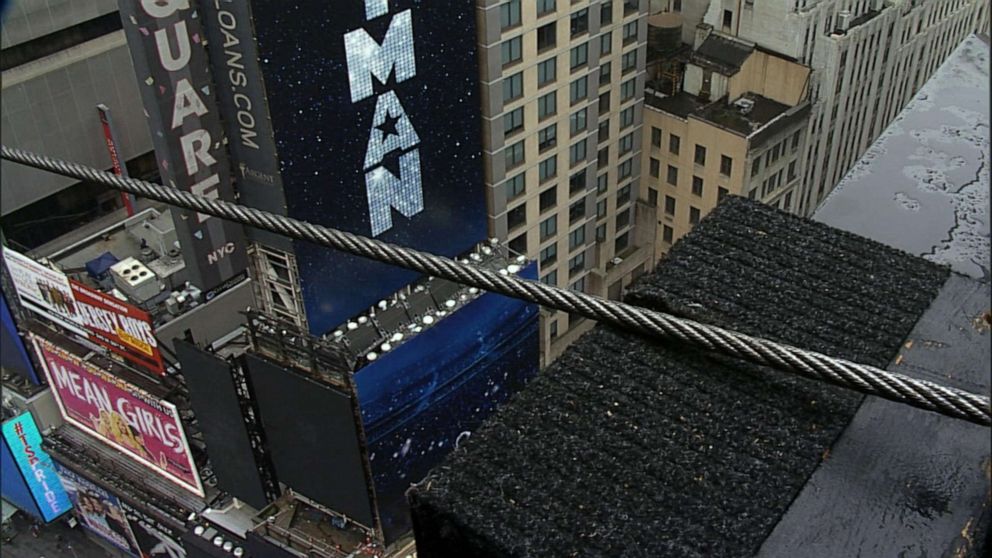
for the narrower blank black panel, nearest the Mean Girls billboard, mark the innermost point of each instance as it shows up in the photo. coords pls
(214, 398)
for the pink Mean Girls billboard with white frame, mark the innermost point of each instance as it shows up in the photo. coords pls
(124, 416)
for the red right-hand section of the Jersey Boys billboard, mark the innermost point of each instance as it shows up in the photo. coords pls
(118, 326)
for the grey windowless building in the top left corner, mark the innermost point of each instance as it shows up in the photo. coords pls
(59, 61)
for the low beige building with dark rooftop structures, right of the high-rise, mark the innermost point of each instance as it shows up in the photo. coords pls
(736, 127)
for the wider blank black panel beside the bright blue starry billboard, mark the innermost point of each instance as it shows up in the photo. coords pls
(313, 438)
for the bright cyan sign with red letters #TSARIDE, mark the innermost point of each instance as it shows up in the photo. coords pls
(36, 465)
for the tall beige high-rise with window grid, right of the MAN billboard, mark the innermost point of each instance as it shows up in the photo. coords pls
(562, 109)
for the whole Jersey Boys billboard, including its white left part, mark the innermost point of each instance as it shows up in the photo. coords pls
(119, 327)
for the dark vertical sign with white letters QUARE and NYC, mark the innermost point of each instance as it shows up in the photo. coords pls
(170, 61)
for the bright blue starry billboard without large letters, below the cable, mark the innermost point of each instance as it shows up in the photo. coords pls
(420, 400)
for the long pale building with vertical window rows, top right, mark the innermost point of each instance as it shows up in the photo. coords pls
(868, 58)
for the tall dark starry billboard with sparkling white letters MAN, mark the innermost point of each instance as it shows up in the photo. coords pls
(376, 114)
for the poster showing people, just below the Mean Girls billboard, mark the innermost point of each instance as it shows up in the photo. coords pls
(98, 510)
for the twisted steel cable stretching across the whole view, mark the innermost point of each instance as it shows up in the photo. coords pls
(866, 379)
